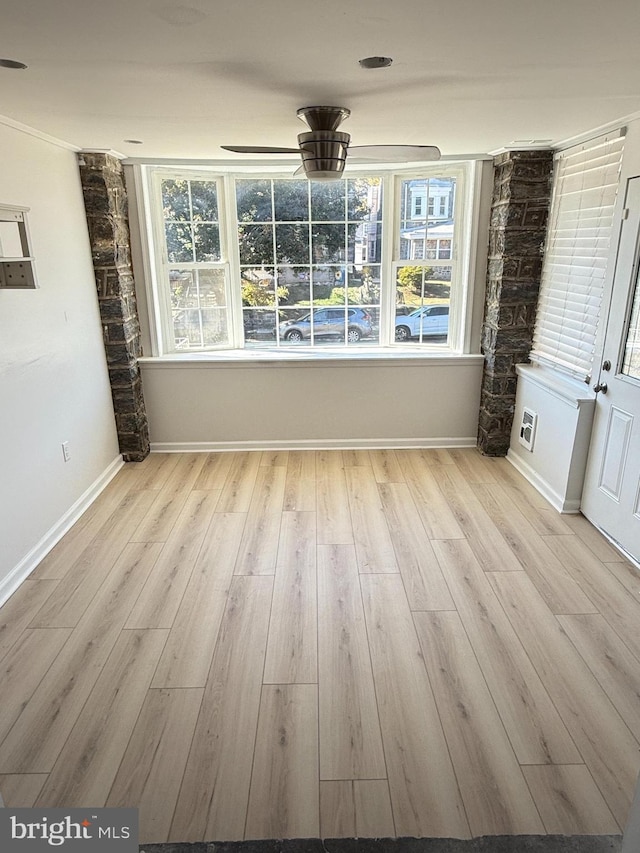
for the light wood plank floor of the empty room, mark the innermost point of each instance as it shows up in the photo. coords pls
(303, 644)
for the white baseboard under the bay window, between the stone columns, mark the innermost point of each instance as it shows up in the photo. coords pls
(310, 444)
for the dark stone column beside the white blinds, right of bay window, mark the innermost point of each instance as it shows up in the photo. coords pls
(519, 210)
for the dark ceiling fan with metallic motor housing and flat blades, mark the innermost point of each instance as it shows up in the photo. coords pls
(324, 148)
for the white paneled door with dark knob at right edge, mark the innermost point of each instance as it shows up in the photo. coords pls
(611, 496)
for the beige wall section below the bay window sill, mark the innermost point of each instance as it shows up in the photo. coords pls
(317, 403)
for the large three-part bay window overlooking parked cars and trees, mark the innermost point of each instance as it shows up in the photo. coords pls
(270, 262)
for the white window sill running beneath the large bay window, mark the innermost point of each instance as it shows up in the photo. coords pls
(270, 358)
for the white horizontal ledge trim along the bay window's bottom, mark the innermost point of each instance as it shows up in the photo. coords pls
(244, 358)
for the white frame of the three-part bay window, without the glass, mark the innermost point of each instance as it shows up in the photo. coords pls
(462, 261)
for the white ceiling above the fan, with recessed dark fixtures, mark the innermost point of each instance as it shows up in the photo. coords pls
(470, 76)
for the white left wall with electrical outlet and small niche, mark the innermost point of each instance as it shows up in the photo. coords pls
(53, 378)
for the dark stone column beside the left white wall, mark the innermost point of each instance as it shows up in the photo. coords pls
(105, 200)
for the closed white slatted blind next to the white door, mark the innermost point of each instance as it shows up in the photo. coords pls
(577, 251)
